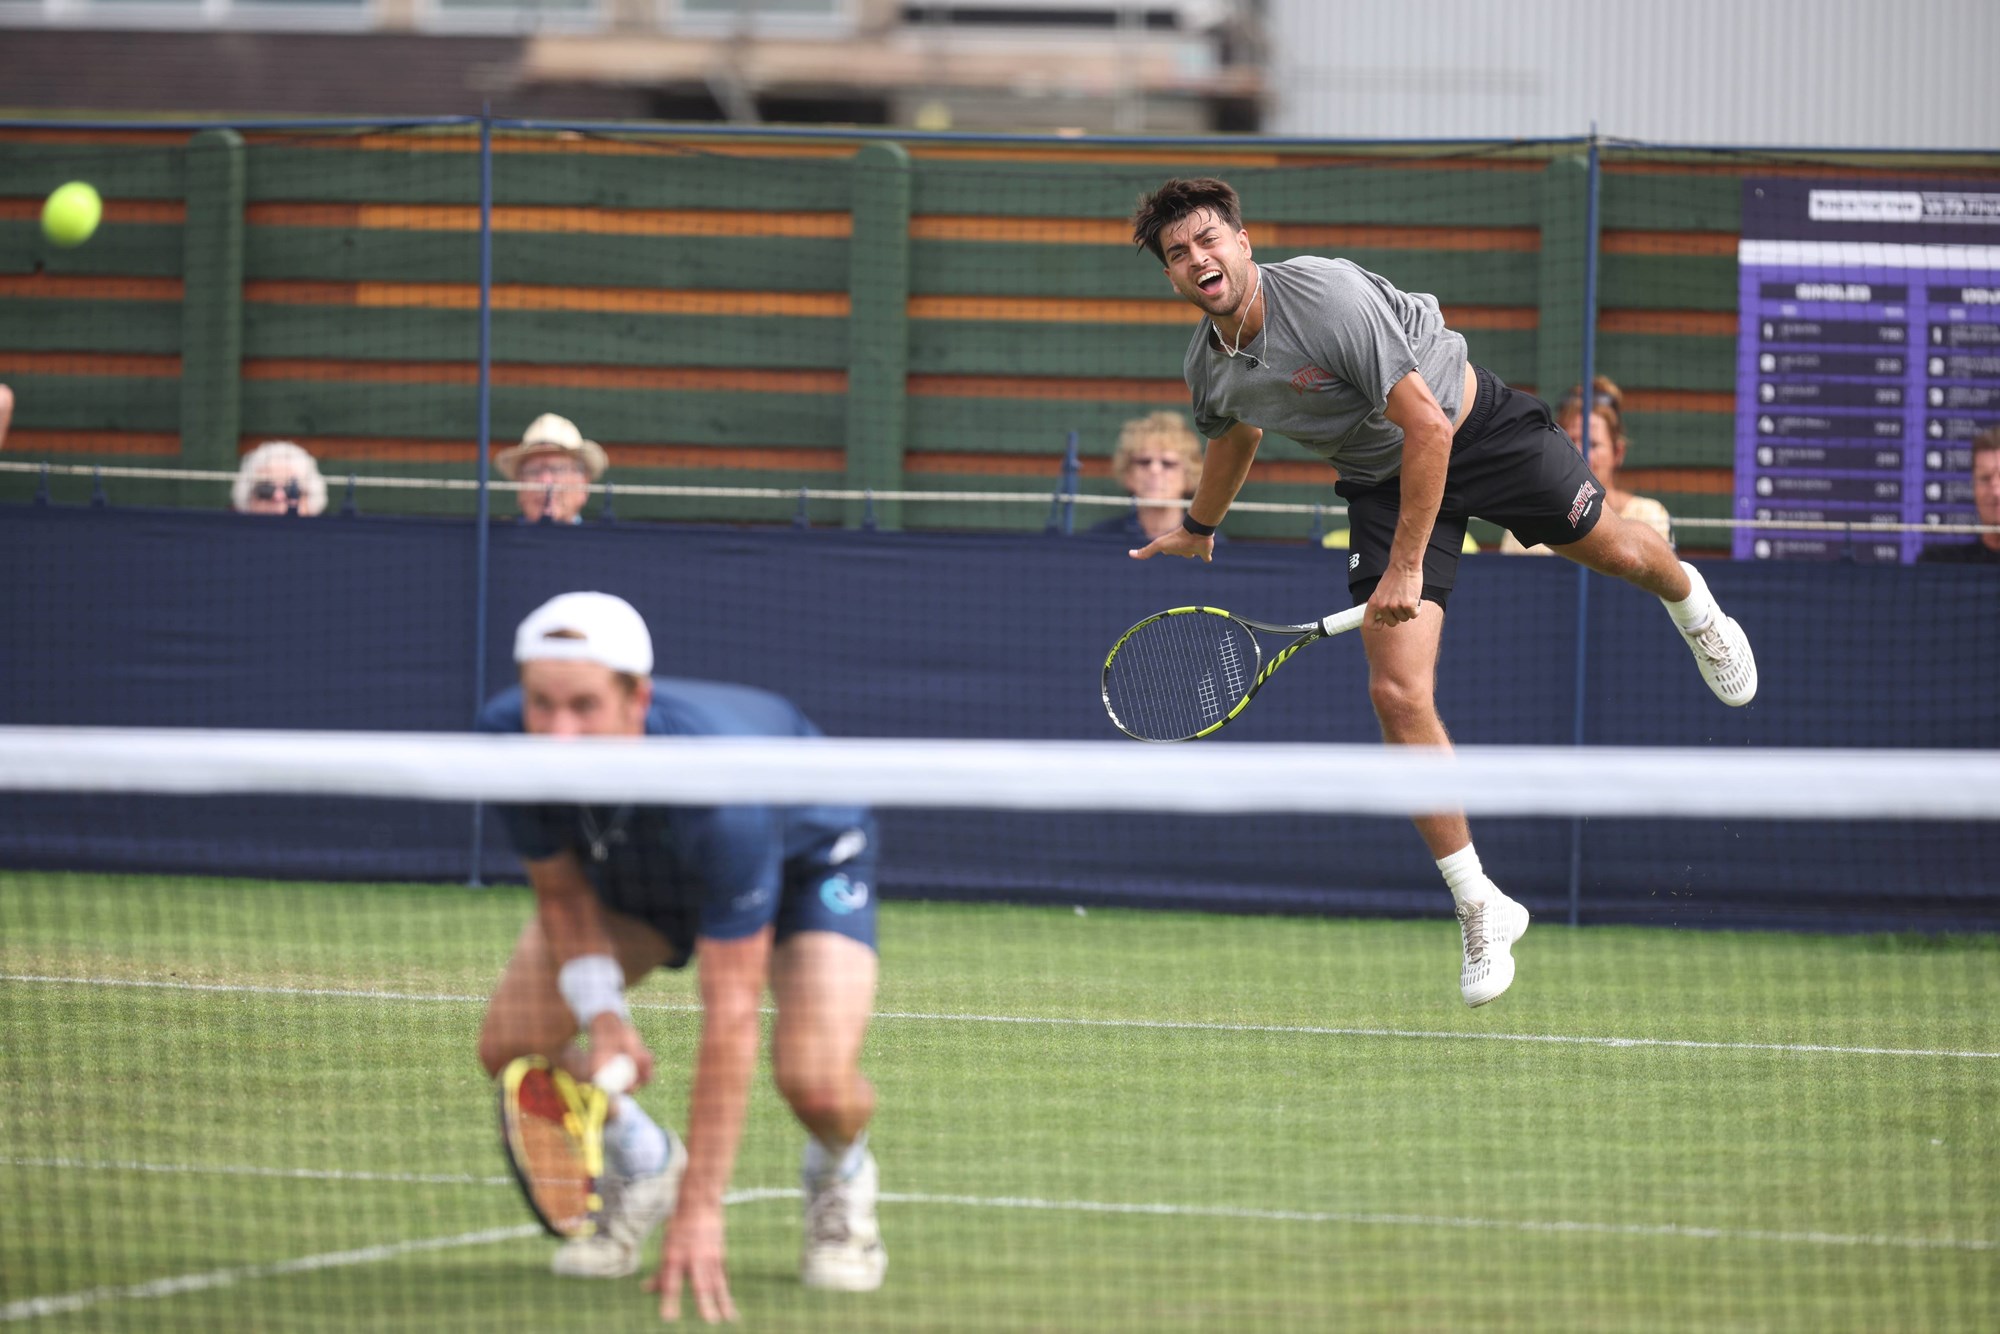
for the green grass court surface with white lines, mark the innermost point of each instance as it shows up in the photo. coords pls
(255, 1107)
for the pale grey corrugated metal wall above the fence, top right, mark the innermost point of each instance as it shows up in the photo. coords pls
(1791, 73)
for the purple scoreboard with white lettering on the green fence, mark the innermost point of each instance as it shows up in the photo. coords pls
(1869, 357)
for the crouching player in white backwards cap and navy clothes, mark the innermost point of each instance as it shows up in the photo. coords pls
(757, 895)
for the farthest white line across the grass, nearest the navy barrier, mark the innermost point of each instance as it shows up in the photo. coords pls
(1305, 1031)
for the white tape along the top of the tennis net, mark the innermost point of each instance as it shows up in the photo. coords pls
(1207, 779)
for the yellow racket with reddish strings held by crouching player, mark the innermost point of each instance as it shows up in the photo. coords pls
(553, 1137)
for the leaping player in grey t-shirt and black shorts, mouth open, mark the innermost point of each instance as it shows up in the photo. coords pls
(1373, 381)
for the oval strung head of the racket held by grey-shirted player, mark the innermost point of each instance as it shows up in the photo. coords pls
(1181, 675)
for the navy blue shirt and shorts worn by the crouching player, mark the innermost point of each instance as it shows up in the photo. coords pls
(709, 871)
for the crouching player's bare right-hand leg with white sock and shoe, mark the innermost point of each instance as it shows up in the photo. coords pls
(825, 989)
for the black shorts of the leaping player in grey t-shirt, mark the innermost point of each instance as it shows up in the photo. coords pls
(1511, 465)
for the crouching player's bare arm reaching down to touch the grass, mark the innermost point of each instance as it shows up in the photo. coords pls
(693, 1253)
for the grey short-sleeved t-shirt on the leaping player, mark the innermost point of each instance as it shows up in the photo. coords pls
(1335, 343)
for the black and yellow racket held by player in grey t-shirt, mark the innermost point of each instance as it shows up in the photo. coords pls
(1189, 671)
